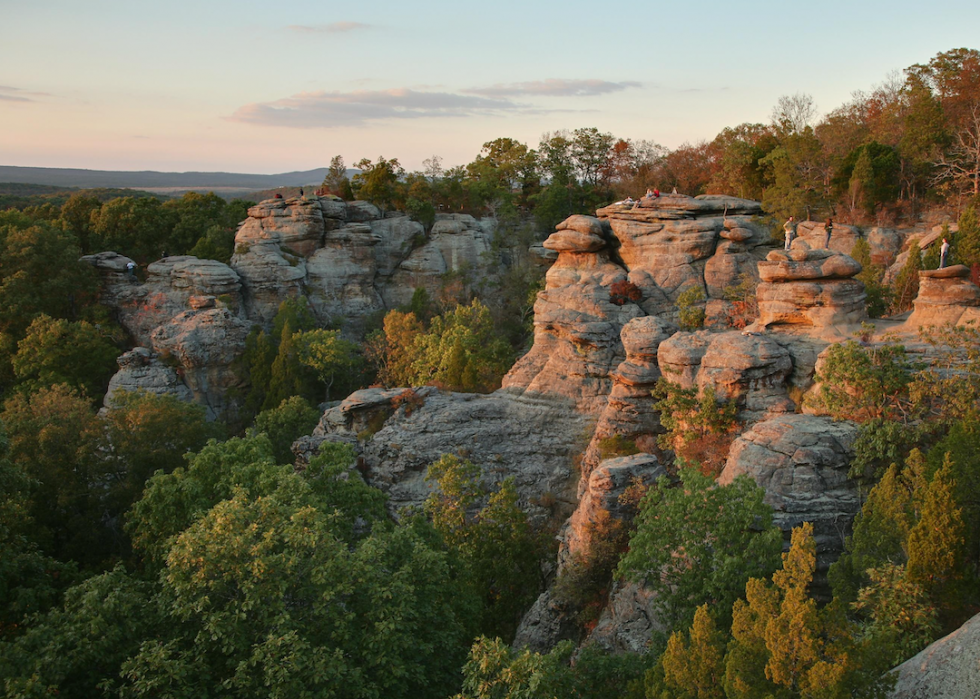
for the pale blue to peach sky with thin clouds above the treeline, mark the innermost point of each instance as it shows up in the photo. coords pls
(268, 87)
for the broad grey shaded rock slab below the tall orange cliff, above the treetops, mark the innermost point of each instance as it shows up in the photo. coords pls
(533, 439)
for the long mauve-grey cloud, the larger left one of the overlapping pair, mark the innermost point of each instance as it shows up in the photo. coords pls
(308, 110)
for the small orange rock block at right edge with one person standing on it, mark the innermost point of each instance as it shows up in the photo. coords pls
(945, 296)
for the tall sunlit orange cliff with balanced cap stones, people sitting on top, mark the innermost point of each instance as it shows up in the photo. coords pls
(662, 248)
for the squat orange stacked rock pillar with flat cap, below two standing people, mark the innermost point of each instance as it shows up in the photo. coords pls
(812, 288)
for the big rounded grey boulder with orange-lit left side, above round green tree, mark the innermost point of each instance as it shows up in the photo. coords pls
(802, 461)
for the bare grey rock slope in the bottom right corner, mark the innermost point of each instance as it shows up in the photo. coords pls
(947, 669)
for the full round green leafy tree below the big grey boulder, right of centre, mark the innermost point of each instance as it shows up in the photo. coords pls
(699, 543)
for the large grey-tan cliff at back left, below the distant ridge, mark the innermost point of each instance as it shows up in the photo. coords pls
(348, 259)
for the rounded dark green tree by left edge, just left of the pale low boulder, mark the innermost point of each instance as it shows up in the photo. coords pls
(61, 352)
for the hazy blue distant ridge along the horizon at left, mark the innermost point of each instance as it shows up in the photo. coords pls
(144, 179)
